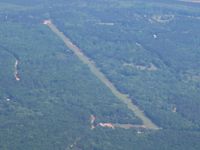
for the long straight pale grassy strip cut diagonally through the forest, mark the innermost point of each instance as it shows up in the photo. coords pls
(123, 97)
